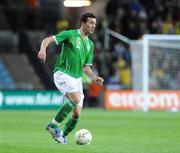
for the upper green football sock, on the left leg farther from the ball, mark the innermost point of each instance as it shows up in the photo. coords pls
(65, 109)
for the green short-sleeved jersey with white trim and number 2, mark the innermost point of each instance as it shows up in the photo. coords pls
(75, 52)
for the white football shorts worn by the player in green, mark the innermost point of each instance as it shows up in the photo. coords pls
(67, 84)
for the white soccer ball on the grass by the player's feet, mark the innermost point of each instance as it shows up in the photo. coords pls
(83, 137)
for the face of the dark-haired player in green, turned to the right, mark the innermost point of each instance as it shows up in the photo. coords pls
(90, 25)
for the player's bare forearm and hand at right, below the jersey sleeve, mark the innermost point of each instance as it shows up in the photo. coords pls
(98, 80)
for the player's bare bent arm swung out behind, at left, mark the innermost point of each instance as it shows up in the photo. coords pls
(44, 45)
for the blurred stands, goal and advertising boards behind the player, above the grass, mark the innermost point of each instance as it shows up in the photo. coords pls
(139, 73)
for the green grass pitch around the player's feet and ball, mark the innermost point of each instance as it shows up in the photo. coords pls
(23, 131)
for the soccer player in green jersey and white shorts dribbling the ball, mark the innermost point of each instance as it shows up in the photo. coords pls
(75, 57)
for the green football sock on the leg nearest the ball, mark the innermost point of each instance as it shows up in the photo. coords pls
(70, 125)
